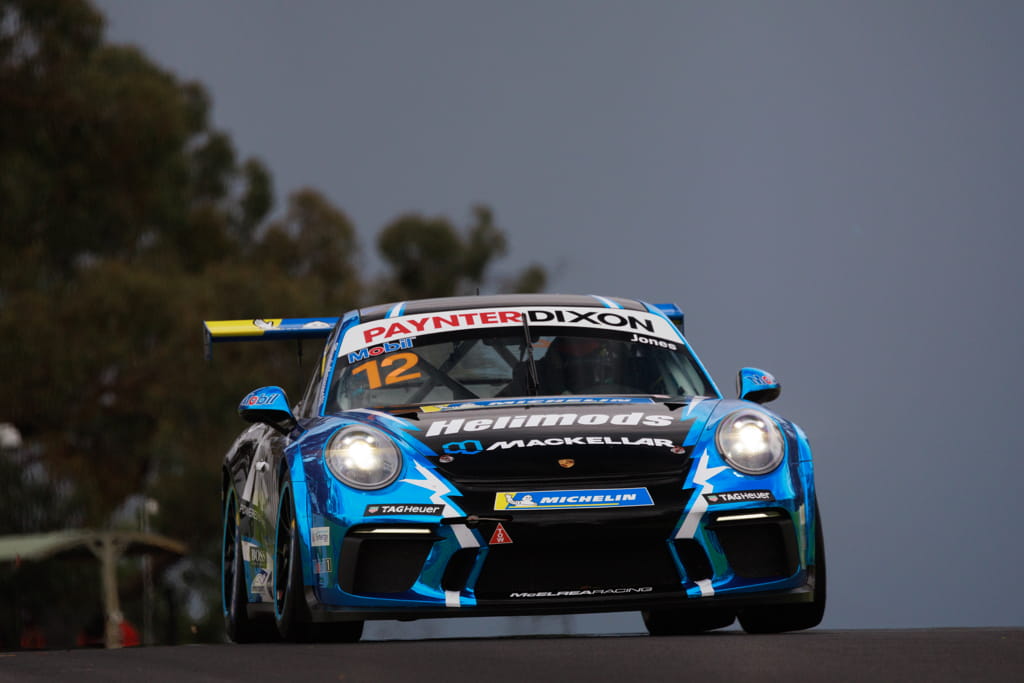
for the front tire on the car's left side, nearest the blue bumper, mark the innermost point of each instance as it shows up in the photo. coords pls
(290, 611)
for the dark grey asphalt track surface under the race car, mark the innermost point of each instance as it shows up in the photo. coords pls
(933, 655)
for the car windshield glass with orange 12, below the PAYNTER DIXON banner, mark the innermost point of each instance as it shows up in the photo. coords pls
(500, 363)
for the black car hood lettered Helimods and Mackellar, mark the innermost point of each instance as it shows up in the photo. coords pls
(558, 442)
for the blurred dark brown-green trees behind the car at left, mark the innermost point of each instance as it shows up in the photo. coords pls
(125, 221)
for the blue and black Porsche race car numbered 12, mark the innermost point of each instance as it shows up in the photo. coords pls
(514, 455)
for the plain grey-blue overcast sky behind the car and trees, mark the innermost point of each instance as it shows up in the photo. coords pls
(832, 191)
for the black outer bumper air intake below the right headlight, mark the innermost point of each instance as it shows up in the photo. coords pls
(760, 549)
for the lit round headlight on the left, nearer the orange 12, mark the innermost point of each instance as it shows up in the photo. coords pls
(363, 457)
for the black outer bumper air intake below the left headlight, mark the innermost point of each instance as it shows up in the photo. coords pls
(389, 564)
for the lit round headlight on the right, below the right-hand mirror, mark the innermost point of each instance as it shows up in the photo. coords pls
(750, 442)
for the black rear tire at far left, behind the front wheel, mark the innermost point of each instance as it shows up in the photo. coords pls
(239, 626)
